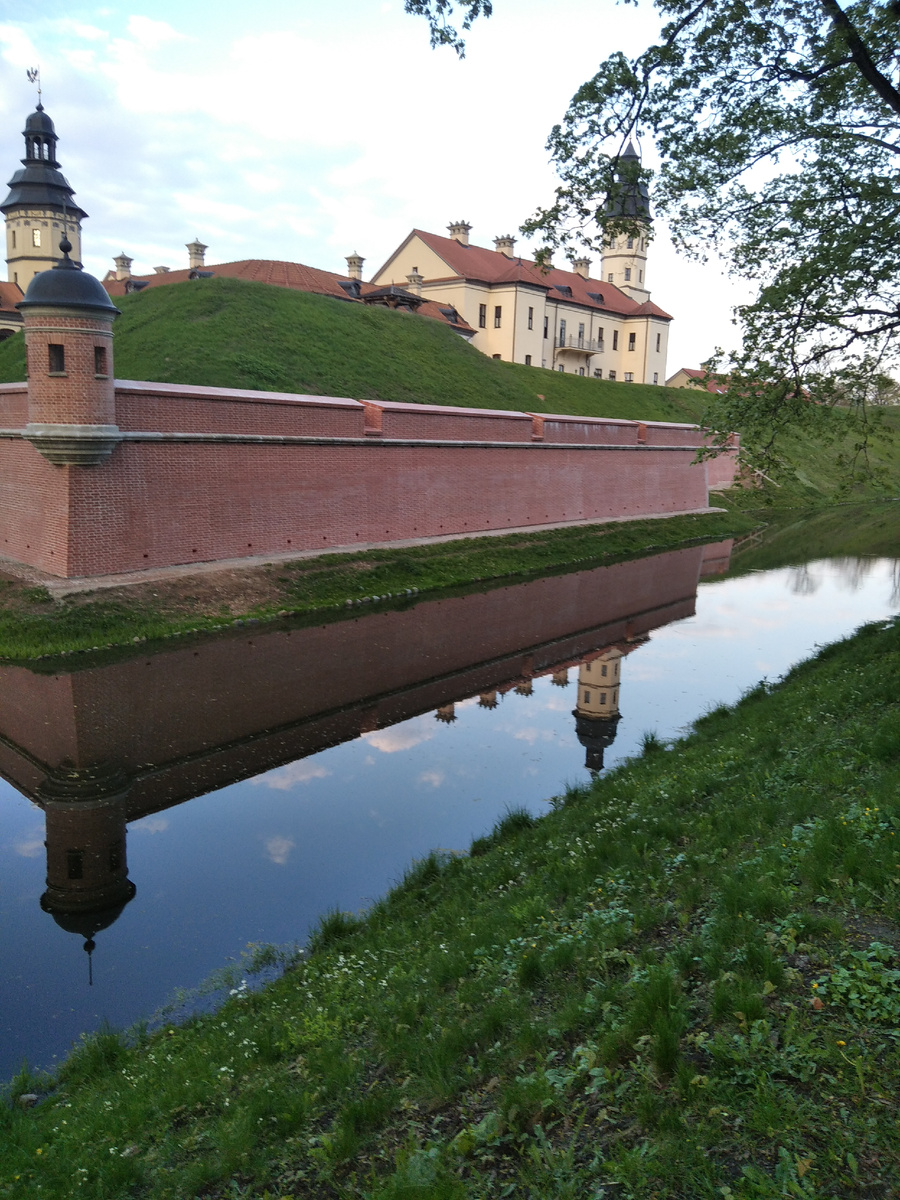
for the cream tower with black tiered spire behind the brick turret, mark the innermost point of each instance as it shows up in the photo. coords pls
(40, 209)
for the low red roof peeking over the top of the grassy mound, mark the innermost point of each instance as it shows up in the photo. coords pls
(281, 275)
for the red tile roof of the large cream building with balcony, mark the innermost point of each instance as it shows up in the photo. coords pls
(493, 267)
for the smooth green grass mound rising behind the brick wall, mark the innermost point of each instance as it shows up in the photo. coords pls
(232, 334)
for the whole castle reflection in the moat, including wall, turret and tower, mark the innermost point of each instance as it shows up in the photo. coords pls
(109, 745)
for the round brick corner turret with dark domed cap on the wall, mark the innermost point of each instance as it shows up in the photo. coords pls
(69, 344)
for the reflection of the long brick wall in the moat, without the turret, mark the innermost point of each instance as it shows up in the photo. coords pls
(225, 709)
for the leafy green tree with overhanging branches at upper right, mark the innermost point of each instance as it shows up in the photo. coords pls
(778, 130)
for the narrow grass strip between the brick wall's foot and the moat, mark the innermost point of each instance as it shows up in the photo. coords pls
(33, 625)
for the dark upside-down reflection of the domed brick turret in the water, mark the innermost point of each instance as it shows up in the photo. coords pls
(88, 883)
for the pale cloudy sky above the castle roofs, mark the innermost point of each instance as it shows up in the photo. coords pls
(309, 131)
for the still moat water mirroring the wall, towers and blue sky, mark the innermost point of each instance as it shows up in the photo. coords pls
(177, 809)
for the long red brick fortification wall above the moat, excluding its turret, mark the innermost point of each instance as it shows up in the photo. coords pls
(206, 475)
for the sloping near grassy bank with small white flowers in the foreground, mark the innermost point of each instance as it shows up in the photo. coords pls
(681, 983)
